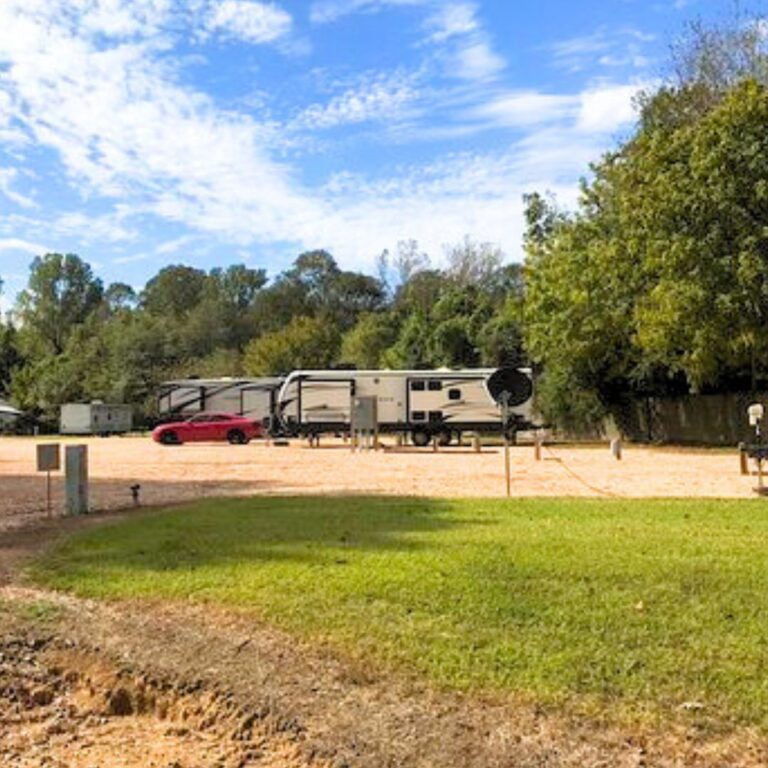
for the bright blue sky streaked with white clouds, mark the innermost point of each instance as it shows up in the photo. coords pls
(140, 133)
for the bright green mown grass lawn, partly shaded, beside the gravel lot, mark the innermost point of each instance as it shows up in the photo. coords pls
(630, 608)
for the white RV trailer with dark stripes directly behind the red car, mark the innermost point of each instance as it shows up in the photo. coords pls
(254, 398)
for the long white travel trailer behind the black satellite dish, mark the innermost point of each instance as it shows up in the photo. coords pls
(422, 404)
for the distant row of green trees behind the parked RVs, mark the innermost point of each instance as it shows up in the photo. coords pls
(70, 338)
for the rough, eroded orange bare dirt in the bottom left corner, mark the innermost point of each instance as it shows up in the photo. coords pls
(64, 706)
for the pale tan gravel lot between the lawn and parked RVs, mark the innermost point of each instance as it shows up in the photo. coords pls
(188, 472)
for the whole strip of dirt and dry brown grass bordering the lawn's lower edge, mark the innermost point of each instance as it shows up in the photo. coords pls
(188, 680)
